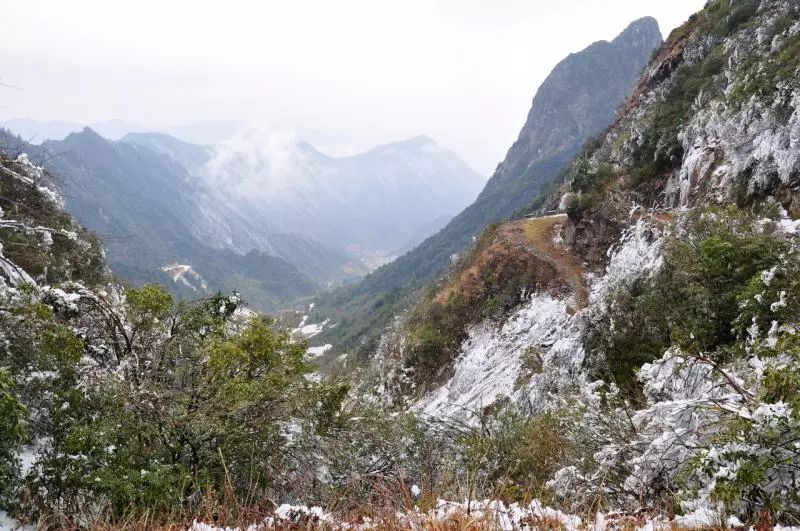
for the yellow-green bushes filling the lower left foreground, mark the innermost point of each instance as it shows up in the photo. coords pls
(192, 404)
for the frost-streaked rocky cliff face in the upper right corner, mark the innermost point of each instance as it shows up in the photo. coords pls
(712, 120)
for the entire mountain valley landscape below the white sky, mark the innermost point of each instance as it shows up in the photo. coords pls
(258, 335)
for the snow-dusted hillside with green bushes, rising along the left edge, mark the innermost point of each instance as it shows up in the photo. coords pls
(117, 403)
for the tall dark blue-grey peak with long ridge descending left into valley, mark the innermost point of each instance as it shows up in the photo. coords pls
(577, 100)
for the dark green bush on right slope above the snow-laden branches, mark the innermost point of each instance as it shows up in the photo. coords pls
(694, 301)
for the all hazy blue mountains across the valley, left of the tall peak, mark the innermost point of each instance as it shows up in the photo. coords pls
(277, 224)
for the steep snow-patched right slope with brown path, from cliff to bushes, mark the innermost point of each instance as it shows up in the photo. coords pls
(664, 334)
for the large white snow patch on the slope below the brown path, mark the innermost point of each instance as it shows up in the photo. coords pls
(490, 363)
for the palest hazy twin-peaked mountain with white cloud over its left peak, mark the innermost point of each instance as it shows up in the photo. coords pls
(376, 201)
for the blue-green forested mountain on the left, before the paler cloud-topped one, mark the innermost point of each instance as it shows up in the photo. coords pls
(145, 207)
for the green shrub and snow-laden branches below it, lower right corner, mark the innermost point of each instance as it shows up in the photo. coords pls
(714, 425)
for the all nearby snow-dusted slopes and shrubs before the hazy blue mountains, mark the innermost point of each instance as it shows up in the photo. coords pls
(630, 363)
